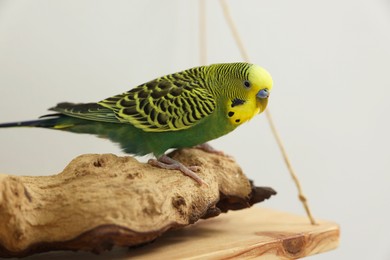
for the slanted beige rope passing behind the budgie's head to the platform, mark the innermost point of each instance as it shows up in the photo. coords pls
(245, 56)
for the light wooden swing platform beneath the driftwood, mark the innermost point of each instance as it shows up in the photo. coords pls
(249, 233)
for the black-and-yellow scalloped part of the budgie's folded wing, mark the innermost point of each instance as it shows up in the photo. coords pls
(170, 103)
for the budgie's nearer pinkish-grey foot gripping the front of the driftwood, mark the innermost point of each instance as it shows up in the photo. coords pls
(166, 162)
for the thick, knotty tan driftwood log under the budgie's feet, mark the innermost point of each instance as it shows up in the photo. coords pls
(101, 201)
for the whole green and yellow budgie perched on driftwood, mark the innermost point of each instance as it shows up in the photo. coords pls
(183, 109)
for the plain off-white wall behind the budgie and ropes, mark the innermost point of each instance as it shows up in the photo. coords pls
(331, 66)
